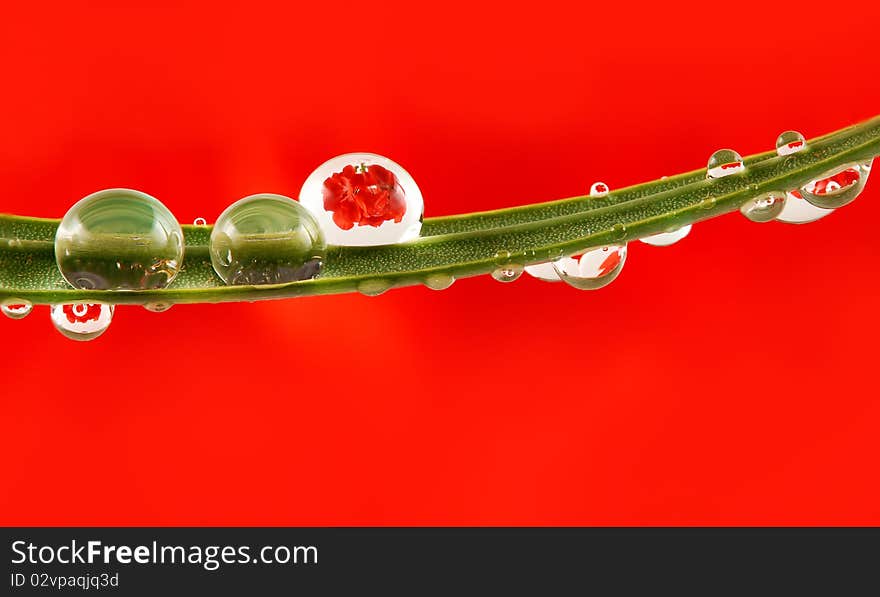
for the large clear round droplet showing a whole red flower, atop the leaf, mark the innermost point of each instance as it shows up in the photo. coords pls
(364, 199)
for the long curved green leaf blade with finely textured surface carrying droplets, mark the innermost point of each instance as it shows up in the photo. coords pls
(459, 245)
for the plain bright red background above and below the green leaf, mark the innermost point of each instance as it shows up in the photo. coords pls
(730, 379)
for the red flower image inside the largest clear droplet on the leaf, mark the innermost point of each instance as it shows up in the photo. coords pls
(364, 196)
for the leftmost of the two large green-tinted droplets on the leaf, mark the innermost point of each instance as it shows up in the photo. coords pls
(119, 239)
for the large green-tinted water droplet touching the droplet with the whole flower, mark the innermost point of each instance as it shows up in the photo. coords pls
(266, 239)
